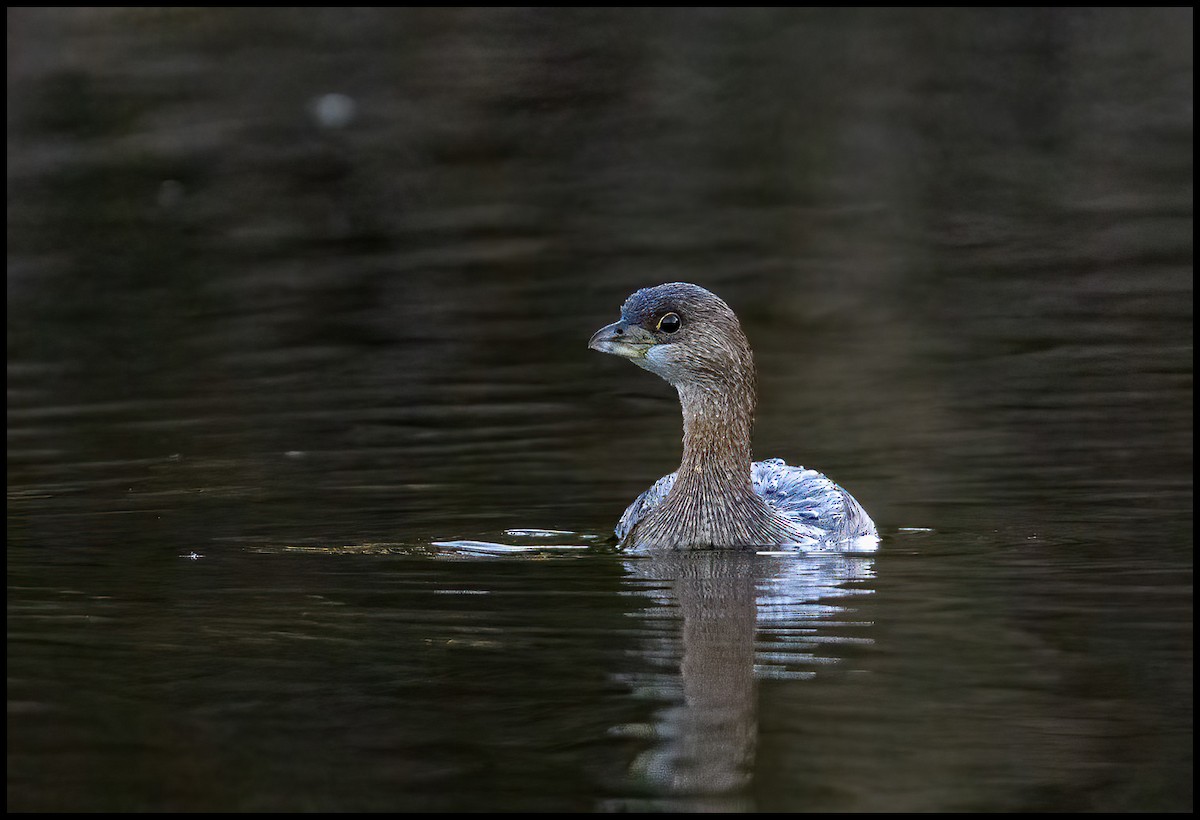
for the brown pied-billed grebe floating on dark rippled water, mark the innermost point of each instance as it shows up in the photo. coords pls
(719, 499)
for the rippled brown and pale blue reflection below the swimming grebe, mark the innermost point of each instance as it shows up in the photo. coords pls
(717, 623)
